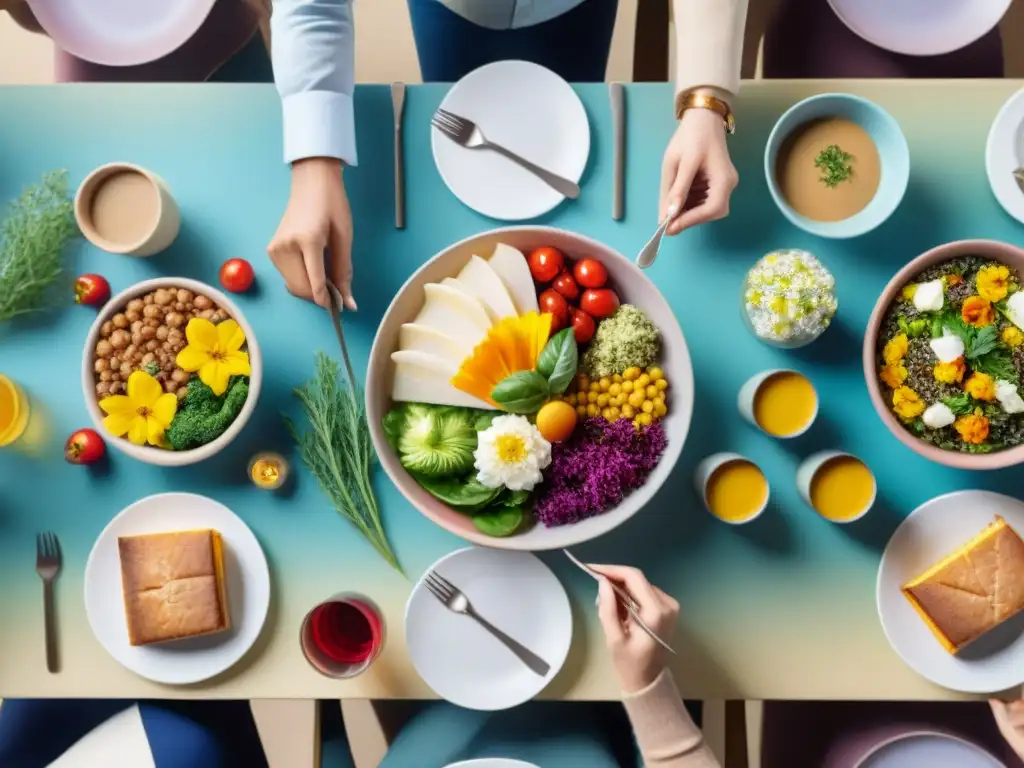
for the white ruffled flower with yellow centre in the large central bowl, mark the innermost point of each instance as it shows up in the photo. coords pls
(511, 453)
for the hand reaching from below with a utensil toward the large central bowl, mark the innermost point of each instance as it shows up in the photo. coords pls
(637, 658)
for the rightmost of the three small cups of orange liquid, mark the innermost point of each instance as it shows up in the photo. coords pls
(837, 486)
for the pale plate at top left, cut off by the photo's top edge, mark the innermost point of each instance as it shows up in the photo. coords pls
(121, 33)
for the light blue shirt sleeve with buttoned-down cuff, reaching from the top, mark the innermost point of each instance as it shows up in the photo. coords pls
(314, 54)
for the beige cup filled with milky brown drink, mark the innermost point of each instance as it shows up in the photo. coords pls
(123, 208)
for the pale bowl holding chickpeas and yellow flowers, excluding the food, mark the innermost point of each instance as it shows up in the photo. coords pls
(148, 454)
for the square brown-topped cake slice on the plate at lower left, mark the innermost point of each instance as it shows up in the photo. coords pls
(174, 585)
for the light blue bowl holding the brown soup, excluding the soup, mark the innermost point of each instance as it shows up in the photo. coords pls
(888, 139)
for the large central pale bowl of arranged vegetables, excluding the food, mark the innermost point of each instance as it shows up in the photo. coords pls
(632, 286)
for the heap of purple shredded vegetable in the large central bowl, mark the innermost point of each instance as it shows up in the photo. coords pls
(593, 471)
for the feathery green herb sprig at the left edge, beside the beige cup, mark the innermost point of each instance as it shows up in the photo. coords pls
(33, 237)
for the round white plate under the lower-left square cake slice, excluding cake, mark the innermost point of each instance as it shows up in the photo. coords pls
(191, 661)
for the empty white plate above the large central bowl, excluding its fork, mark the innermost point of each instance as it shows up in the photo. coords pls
(531, 111)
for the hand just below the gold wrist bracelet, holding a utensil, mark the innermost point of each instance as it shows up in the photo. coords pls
(698, 177)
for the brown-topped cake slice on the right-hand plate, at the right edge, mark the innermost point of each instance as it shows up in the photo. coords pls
(975, 589)
